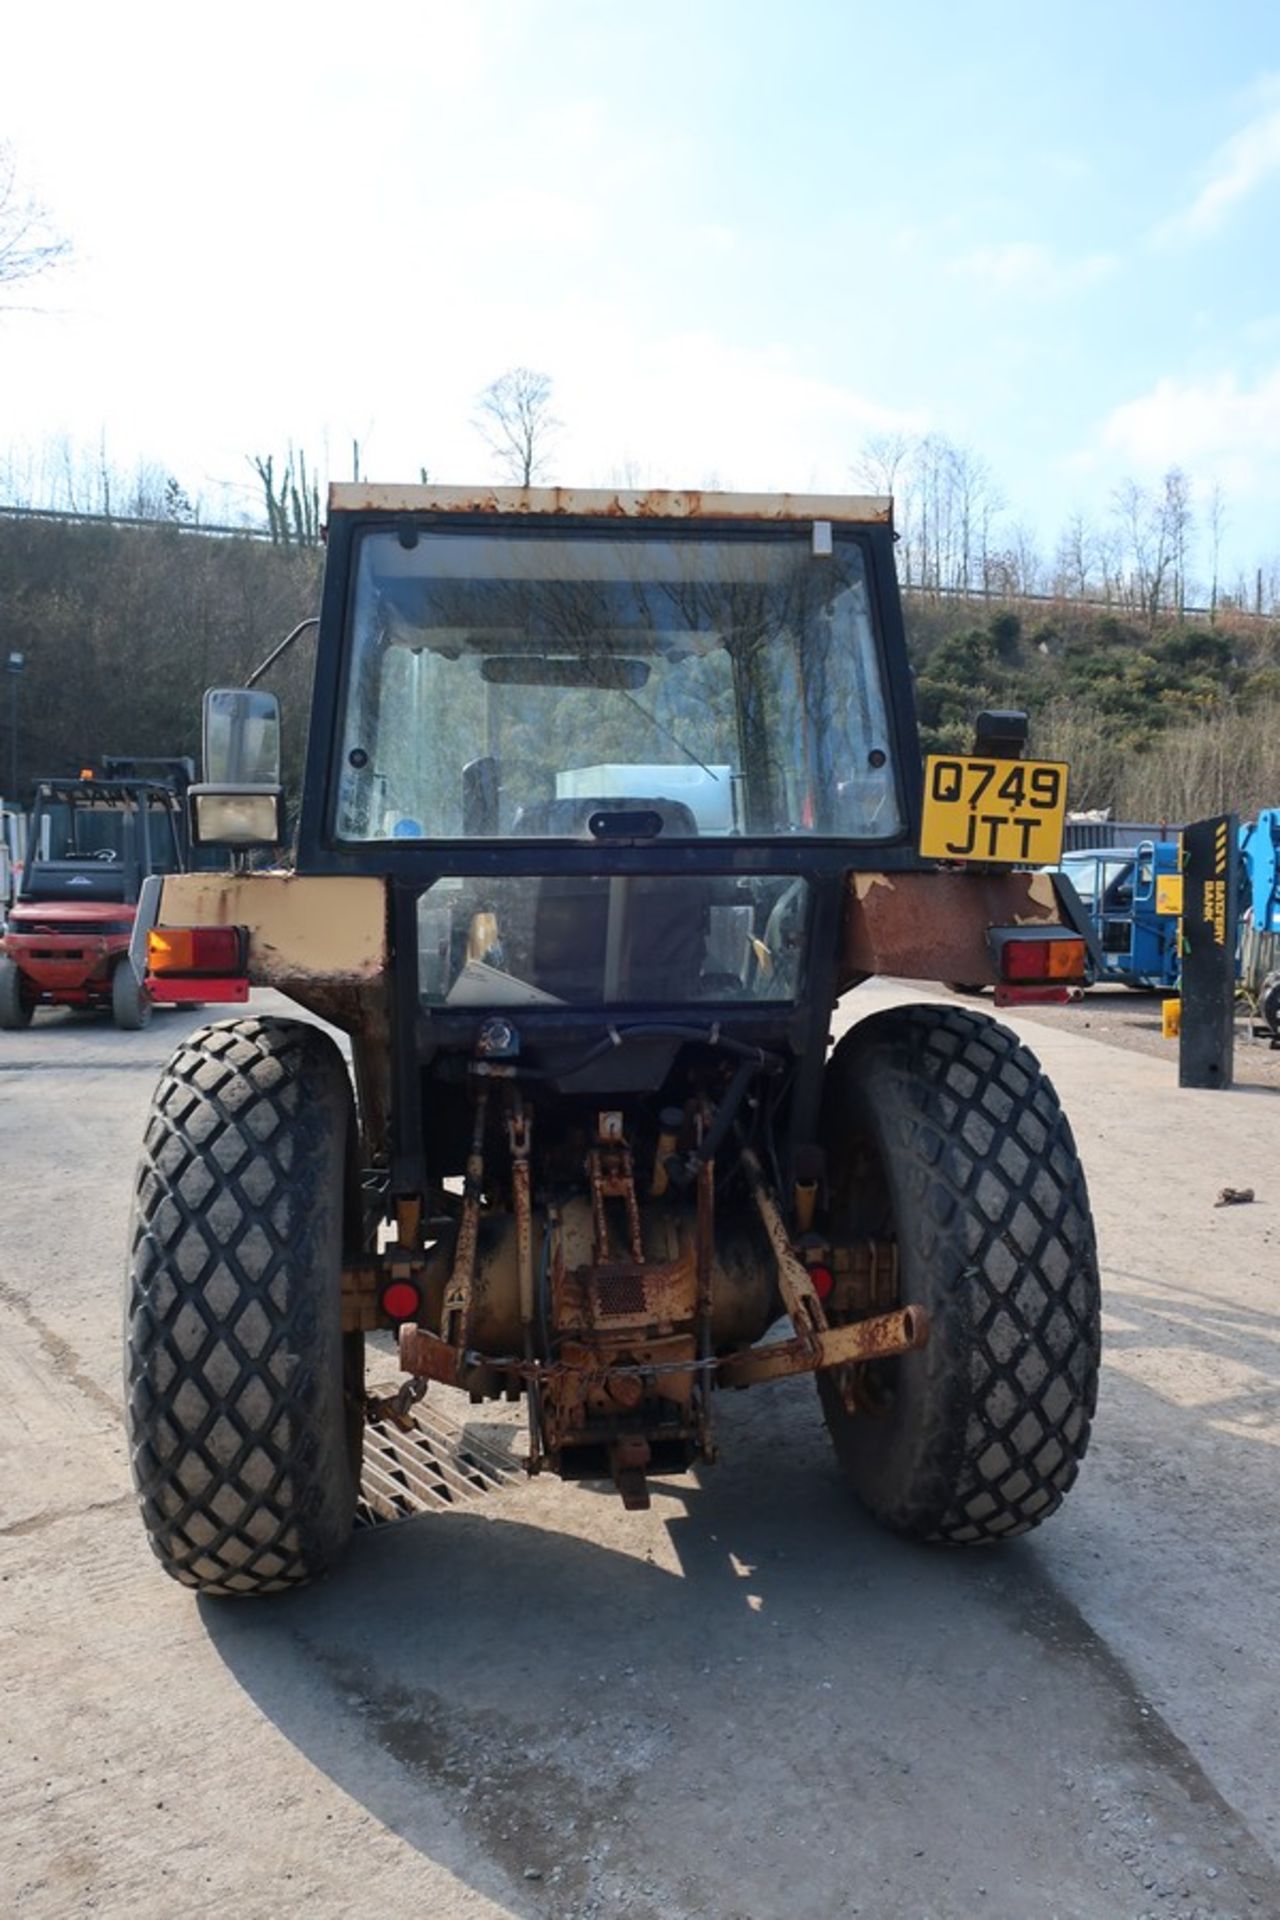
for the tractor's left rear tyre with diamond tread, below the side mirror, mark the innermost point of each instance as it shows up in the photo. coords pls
(245, 1397)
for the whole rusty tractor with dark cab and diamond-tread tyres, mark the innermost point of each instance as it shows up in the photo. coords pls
(609, 800)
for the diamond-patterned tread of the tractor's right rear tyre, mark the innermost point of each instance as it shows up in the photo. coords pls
(1001, 1216)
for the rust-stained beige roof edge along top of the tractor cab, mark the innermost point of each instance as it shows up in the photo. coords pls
(655, 504)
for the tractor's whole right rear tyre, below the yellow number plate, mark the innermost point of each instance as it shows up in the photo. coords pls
(945, 1134)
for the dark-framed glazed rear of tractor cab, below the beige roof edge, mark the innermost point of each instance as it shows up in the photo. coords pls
(615, 756)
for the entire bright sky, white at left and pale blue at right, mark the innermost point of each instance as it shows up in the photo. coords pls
(742, 241)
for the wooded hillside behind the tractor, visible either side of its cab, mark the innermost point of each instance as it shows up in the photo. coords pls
(124, 629)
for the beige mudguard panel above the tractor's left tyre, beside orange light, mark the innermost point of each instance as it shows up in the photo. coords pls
(302, 928)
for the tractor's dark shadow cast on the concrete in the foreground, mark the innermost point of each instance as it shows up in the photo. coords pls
(746, 1704)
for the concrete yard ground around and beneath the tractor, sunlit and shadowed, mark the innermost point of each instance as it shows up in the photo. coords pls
(746, 1704)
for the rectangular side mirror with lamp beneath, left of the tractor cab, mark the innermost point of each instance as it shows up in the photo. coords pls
(241, 802)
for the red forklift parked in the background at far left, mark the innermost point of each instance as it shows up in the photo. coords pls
(91, 844)
